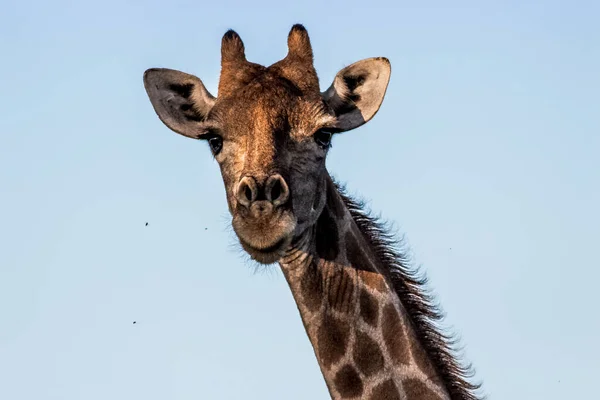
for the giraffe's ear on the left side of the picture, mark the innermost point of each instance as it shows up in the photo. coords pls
(180, 100)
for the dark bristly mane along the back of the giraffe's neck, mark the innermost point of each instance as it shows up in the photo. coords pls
(410, 287)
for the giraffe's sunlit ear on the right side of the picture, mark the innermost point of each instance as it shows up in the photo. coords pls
(358, 91)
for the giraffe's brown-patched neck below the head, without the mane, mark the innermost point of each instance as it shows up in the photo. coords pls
(362, 336)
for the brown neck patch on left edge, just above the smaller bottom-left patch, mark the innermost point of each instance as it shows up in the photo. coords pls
(332, 338)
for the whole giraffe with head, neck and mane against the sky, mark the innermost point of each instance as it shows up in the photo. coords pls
(371, 323)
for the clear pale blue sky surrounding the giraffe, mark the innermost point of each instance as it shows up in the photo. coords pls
(486, 154)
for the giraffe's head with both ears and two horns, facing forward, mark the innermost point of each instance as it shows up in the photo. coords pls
(270, 129)
